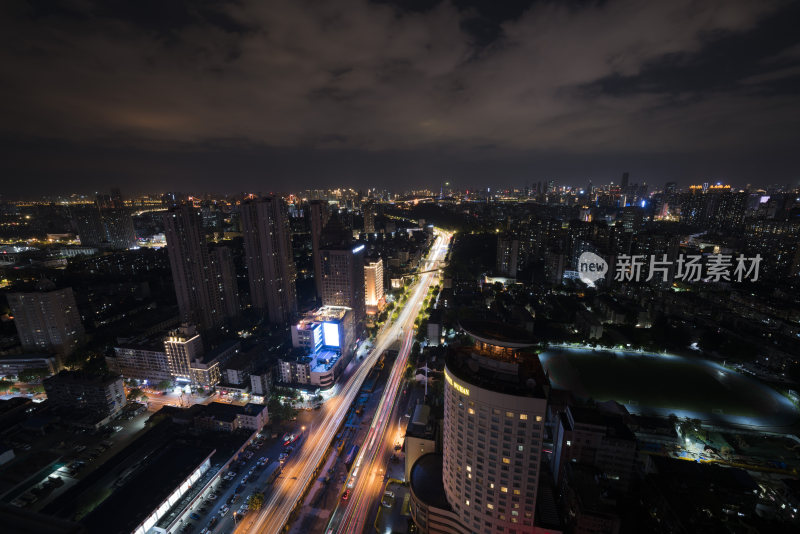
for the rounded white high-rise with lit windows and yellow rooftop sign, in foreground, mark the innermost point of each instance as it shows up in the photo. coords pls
(494, 409)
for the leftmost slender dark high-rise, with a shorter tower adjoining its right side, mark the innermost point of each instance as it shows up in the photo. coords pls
(193, 272)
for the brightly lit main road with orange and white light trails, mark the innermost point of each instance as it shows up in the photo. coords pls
(299, 470)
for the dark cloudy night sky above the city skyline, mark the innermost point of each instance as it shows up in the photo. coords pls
(260, 95)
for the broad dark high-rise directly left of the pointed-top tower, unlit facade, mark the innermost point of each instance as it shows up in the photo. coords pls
(269, 258)
